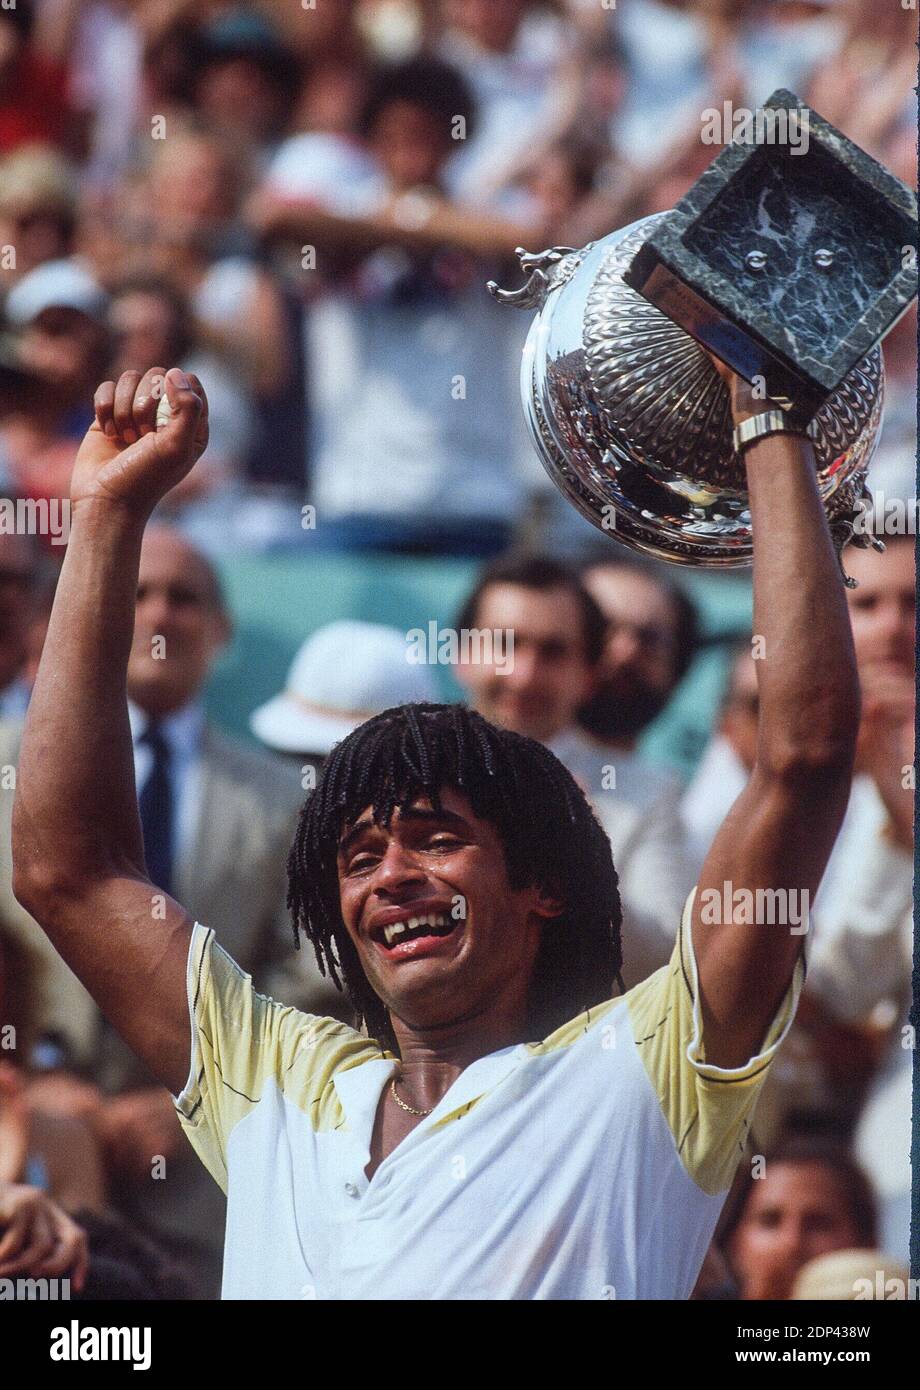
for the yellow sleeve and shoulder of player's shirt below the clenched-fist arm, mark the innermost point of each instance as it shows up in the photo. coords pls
(243, 1040)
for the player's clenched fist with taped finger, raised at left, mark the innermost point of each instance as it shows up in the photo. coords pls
(131, 457)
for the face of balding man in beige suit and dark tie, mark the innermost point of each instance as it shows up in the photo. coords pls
(179, 626)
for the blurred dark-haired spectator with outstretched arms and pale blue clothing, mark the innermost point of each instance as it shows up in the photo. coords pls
(411, 368)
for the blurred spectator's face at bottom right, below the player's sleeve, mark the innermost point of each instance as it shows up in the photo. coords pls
(794, 1214)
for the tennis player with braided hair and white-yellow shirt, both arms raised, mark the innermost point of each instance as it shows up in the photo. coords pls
(505, 1127)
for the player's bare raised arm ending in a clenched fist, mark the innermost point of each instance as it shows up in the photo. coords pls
(77, 843)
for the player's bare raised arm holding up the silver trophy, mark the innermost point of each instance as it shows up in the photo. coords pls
(780, 832)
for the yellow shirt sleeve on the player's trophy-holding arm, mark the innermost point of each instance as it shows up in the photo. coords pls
(708, 1109)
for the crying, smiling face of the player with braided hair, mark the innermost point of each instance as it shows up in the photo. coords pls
(440, 932)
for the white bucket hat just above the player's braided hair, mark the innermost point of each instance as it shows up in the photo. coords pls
(343, 676)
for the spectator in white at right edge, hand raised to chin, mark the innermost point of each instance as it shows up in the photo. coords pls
(862, 956)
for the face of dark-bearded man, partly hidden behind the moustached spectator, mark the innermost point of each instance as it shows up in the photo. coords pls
(637, 672)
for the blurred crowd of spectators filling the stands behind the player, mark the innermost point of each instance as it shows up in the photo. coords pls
(302, 205)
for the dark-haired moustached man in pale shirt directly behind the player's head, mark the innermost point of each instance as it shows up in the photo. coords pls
(537, 687)
